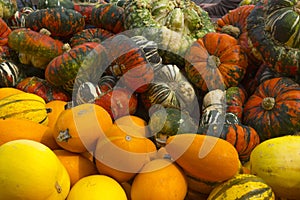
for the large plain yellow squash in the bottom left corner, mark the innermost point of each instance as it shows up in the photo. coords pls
(30, 170)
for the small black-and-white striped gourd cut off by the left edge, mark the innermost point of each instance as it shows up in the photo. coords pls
(10, 74)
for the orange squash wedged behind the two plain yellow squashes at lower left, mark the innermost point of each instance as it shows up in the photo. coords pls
(76, 165)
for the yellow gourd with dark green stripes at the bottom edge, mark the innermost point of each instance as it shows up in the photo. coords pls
(242, 186)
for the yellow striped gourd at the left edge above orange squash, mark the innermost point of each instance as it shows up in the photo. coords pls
(24, 106)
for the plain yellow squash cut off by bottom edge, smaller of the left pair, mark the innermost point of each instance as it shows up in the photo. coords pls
(95, 187)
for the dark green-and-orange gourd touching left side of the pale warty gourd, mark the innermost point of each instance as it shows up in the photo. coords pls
(108, 16)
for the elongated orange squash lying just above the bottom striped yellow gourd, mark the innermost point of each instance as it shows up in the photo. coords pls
(204, 157)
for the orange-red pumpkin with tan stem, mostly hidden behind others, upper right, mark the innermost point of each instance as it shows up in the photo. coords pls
(234, 23)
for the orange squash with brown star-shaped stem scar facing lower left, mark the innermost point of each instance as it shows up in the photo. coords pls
(78, 128)
